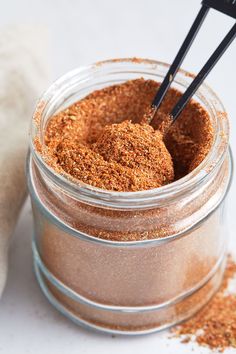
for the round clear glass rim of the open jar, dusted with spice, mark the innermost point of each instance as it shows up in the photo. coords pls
(138, 199)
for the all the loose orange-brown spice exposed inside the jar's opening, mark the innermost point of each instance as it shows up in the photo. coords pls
(102, 140)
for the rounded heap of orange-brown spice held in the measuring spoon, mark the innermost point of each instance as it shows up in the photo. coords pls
(138, 147)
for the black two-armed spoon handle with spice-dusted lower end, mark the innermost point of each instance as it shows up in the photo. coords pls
(163, 122)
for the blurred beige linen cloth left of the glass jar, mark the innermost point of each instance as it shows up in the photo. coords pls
(23, 77)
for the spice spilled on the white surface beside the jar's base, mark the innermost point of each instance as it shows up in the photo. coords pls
(215, 325)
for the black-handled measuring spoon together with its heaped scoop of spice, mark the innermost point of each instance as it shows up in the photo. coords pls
(118, 138)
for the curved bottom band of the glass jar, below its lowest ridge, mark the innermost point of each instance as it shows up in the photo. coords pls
(128, 323)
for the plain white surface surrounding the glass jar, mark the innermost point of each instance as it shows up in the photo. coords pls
(84, 31)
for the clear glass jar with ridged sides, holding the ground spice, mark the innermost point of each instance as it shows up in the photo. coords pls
(129, 287)
